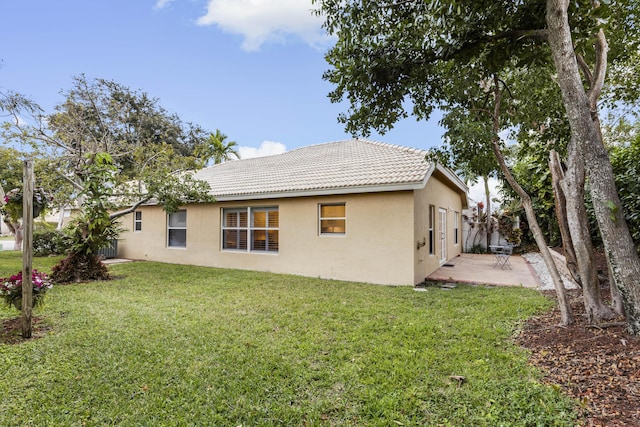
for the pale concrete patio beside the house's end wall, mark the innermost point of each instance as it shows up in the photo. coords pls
(479, 269)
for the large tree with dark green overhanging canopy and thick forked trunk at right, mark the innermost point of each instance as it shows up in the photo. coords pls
(403, 57)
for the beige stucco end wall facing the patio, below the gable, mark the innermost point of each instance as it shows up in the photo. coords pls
(442, 196)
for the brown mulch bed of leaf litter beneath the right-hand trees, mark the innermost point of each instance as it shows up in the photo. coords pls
(598, 366)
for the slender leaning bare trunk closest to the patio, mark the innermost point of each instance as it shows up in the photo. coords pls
(566, 316)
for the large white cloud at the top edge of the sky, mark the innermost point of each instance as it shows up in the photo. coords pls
(261, 21)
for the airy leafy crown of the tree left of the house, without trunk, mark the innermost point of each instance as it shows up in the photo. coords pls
(151, 149)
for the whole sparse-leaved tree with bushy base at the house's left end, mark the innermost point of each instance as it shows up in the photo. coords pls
(108, 143)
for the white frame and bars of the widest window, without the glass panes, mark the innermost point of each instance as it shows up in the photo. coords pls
(252, 230)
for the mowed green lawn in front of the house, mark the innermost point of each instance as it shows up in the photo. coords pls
(191, 346)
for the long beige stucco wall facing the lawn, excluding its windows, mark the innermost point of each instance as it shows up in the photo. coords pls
(378, 247)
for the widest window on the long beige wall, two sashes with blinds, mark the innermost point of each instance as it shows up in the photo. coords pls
(250, 229)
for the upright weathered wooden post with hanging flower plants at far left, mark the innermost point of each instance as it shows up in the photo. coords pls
(27, 248)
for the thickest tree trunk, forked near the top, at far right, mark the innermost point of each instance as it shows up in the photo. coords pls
(582, 116)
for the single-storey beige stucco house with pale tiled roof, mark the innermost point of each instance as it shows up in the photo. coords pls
(352, 210)
